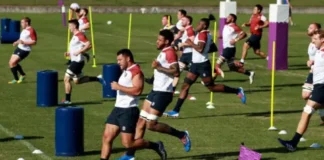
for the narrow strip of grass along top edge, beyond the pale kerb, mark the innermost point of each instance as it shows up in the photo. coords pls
(157, 2)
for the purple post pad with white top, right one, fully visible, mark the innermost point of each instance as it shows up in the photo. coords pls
(278, 32)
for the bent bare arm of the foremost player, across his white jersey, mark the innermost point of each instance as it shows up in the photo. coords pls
(136, 90)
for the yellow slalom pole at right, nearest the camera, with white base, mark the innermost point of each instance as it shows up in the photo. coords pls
(272, 127)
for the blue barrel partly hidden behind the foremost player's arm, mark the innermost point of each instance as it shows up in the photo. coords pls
(110, 73)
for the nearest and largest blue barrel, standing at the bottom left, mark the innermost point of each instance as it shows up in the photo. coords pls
(69, 131)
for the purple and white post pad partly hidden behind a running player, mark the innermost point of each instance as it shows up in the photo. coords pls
(225, 8)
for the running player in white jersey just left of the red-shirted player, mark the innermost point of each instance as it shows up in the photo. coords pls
(231, 35)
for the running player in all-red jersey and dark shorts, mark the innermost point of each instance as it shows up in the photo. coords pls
(257, 22)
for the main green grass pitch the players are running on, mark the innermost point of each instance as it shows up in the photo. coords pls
(216, 134)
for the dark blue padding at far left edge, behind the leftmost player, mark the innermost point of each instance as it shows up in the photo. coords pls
(10, 30)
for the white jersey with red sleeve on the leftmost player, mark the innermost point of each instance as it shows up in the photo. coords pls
(26, 35)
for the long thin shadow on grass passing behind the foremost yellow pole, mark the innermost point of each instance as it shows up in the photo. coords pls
(255, 114)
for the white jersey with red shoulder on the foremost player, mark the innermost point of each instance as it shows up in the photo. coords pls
(124, 100)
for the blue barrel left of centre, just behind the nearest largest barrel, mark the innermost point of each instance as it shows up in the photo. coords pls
(47, 88)
